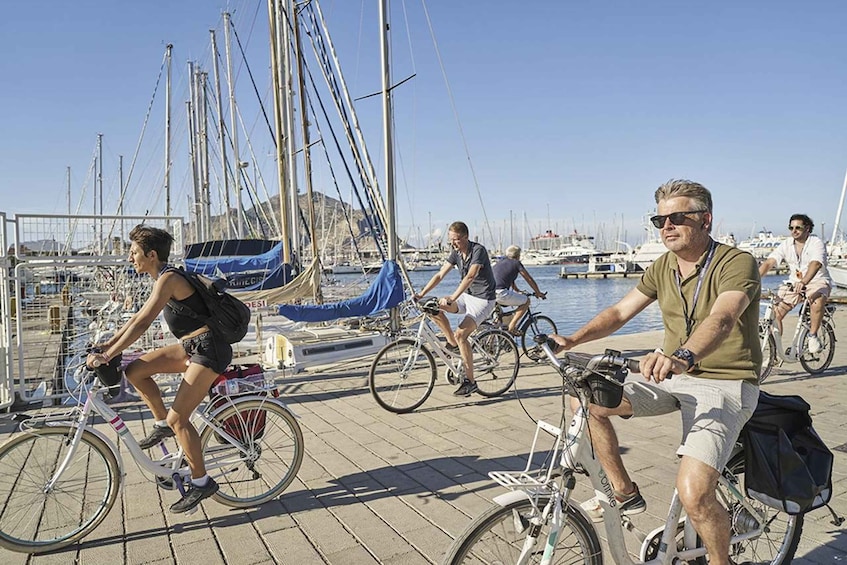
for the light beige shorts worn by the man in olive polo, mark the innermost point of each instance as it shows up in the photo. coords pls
(713, 412)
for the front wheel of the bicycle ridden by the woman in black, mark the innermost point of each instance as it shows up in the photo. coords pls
(35, 518)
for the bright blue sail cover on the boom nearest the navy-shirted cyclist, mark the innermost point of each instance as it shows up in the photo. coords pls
(385, 292)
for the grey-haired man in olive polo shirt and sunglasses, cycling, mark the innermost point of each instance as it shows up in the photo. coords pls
(709, 297)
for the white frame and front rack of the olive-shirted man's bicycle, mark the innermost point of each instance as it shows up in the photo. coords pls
(574, 454)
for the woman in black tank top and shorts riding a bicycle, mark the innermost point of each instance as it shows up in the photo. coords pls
(200, 356)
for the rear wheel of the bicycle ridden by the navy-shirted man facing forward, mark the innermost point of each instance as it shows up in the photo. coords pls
(496, 362)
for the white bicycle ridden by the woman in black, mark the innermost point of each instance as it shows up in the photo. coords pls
(60, 476)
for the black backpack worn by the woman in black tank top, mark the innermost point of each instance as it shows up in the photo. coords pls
(229, 317)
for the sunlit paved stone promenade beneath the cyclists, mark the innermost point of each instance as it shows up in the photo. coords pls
(376, 487)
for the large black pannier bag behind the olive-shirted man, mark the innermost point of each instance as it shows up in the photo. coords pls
(787, 465)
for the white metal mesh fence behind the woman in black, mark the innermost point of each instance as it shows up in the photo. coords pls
(66, 284)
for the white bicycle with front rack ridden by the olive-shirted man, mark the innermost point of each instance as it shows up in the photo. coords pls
(537, 522)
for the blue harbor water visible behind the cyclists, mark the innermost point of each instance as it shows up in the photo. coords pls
(570, 302)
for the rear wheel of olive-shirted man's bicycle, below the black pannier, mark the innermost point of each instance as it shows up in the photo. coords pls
(781, 532)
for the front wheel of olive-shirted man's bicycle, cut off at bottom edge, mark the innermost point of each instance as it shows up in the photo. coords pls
(498, 536)
